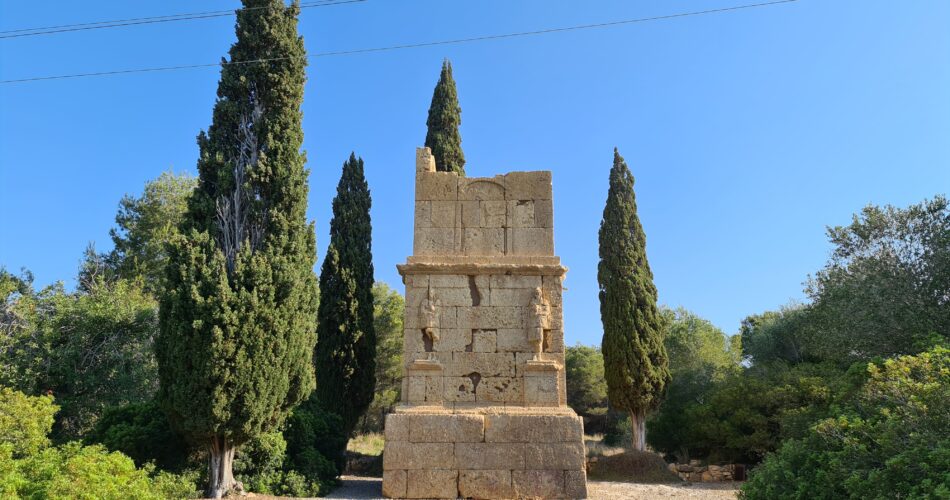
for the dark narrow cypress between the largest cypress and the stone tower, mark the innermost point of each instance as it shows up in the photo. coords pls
(345, 356)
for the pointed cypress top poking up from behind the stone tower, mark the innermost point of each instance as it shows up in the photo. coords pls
(445, 116)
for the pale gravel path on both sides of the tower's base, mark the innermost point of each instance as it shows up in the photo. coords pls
(362, 488)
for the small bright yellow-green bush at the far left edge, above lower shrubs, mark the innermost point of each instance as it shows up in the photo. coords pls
(25, 421)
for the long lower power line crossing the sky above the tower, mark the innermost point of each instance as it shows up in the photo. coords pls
(411, 45)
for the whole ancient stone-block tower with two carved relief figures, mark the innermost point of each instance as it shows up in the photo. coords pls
(483, 411)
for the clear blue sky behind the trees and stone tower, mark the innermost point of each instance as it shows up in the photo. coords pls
(748, 132)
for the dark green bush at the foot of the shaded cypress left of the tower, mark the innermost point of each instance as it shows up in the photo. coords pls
(314, 440)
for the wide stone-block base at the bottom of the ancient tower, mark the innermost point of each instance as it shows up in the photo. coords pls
(484, 452)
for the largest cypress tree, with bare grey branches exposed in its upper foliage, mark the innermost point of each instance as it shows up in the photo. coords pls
(237, 321)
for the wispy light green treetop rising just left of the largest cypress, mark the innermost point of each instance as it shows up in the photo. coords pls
(146, 224)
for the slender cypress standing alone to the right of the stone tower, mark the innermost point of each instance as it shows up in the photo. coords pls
(636, 365)
